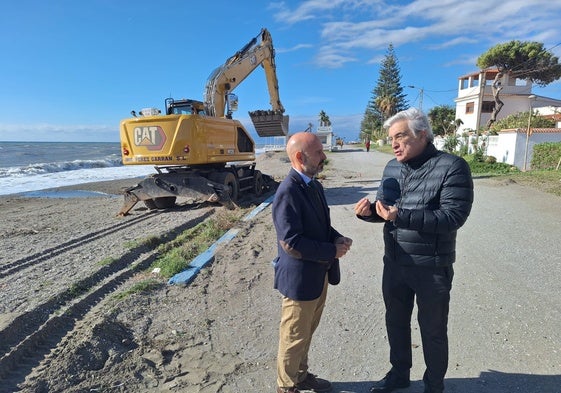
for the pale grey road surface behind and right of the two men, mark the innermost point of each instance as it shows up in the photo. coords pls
(505, 319)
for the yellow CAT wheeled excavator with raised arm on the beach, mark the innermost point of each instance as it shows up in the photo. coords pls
(198, 150)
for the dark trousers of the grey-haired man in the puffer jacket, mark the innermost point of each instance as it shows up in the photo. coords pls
(431, 286)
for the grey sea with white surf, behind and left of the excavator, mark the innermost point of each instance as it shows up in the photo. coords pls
(33, 166)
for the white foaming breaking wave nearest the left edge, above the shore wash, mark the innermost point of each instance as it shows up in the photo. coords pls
(54, 167)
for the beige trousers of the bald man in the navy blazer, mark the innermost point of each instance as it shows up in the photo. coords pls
(299, 320)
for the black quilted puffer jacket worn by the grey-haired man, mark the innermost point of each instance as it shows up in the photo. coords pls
(434, 194)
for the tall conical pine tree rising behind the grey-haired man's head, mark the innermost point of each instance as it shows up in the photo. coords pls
(387, 98)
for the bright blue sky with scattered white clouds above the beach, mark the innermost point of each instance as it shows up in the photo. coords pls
(72, 70)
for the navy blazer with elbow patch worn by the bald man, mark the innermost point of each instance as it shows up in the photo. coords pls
(305, 226)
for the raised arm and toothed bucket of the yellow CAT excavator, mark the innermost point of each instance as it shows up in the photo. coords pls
(224, 79)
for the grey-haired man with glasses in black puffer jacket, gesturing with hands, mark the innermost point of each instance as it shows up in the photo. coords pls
(424, 197)
